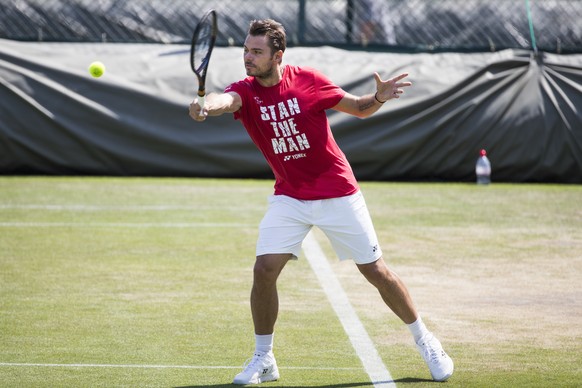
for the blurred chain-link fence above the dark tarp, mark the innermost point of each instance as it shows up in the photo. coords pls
(408, 25)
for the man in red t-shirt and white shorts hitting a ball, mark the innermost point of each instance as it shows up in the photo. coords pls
(283, 108)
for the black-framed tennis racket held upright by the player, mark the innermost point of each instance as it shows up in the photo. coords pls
(203, 41)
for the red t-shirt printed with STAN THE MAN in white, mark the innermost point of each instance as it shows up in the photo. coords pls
(288, 123)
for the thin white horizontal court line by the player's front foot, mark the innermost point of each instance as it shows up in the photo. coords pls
(136, 366)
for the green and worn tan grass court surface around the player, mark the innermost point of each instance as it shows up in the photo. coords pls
(151, 271)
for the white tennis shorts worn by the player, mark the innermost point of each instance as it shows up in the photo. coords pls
(345, 221)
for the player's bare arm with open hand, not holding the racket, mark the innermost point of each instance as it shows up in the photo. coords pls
(365, 106)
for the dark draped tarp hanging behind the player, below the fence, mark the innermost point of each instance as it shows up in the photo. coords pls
(56, 119)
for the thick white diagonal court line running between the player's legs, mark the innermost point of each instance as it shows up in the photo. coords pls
(354, 328)
